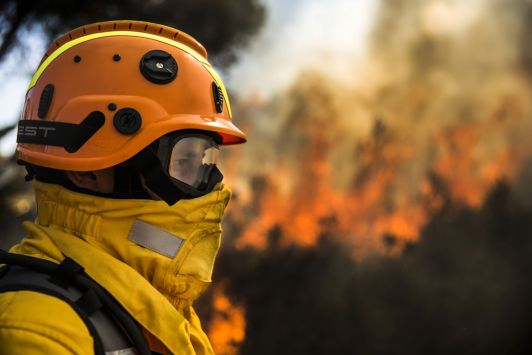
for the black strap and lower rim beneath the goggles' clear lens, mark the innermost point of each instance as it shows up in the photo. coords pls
(158, 180)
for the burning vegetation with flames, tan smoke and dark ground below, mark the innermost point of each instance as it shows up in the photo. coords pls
(393, 217)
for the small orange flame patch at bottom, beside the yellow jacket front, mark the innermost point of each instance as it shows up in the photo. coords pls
(228, 325)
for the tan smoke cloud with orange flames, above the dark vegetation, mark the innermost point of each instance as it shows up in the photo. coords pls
(444, 101)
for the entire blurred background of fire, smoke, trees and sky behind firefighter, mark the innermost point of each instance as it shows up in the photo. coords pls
(383, 202)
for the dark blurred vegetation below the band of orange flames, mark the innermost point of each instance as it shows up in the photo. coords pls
(463, 288)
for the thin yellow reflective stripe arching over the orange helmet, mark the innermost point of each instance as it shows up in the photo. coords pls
(77, 41)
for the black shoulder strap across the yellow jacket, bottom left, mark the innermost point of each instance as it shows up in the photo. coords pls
(67, 281)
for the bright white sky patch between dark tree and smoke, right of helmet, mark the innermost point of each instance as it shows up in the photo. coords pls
(302, 34)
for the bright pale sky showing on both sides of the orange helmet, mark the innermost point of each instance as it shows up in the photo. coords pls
(297, 35)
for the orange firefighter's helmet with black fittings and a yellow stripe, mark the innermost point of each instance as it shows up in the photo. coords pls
(105, 91)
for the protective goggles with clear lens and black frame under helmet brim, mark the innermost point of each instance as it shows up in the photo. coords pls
(179, 165)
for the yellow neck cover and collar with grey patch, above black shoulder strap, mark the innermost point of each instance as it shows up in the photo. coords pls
(108, 238)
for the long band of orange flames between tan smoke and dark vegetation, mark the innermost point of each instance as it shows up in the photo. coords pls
(303, 203)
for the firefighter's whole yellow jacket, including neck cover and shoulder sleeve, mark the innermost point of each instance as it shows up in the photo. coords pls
(106, 237)
